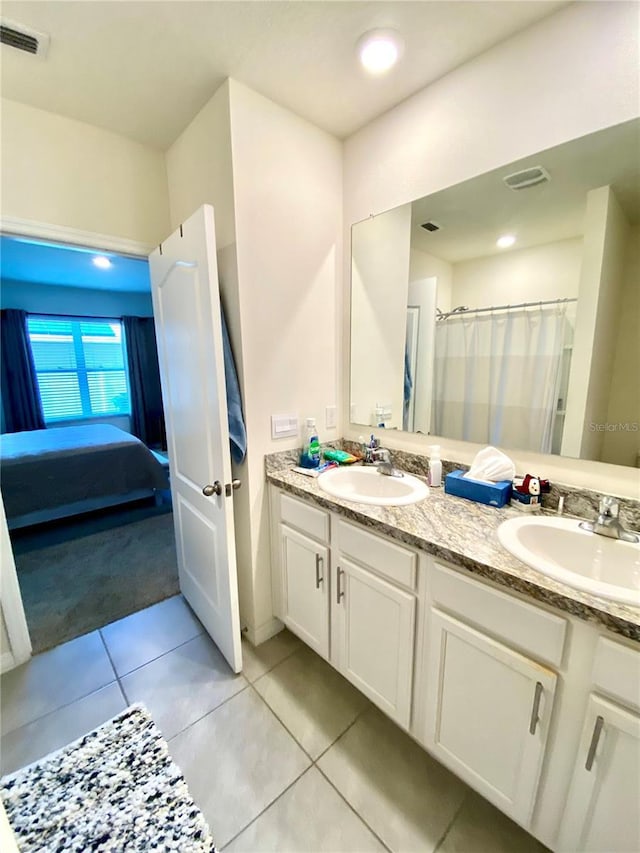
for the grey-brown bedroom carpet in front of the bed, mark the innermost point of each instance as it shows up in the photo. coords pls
(74, 583)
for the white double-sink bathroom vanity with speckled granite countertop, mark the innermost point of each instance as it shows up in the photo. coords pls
(526, 689)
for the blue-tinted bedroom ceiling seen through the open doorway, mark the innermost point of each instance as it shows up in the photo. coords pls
(32, 261)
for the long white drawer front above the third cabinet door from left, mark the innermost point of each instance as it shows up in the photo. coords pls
(522, 625)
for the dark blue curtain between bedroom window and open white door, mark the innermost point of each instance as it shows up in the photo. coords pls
(147, 414)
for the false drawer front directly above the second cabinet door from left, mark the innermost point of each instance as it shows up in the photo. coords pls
(388, 559)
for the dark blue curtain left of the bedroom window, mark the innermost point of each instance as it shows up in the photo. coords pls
(21, 406)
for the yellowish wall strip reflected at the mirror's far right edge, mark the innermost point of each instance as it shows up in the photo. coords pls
(622, 446)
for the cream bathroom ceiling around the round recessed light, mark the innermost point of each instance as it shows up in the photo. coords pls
(144, 68)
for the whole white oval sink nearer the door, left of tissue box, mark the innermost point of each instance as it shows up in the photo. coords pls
(369, 486)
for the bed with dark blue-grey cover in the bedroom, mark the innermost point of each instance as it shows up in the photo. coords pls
(53, 473)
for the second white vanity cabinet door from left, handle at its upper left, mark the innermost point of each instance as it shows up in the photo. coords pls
(376, 638)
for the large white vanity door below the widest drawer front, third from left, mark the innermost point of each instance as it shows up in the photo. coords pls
(487, 714)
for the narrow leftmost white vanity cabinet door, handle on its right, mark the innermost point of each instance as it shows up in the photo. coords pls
(305, 589)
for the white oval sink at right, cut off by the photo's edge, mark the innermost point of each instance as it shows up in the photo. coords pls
(561, 549)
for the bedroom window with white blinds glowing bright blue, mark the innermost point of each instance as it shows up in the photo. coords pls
(80, 365)
